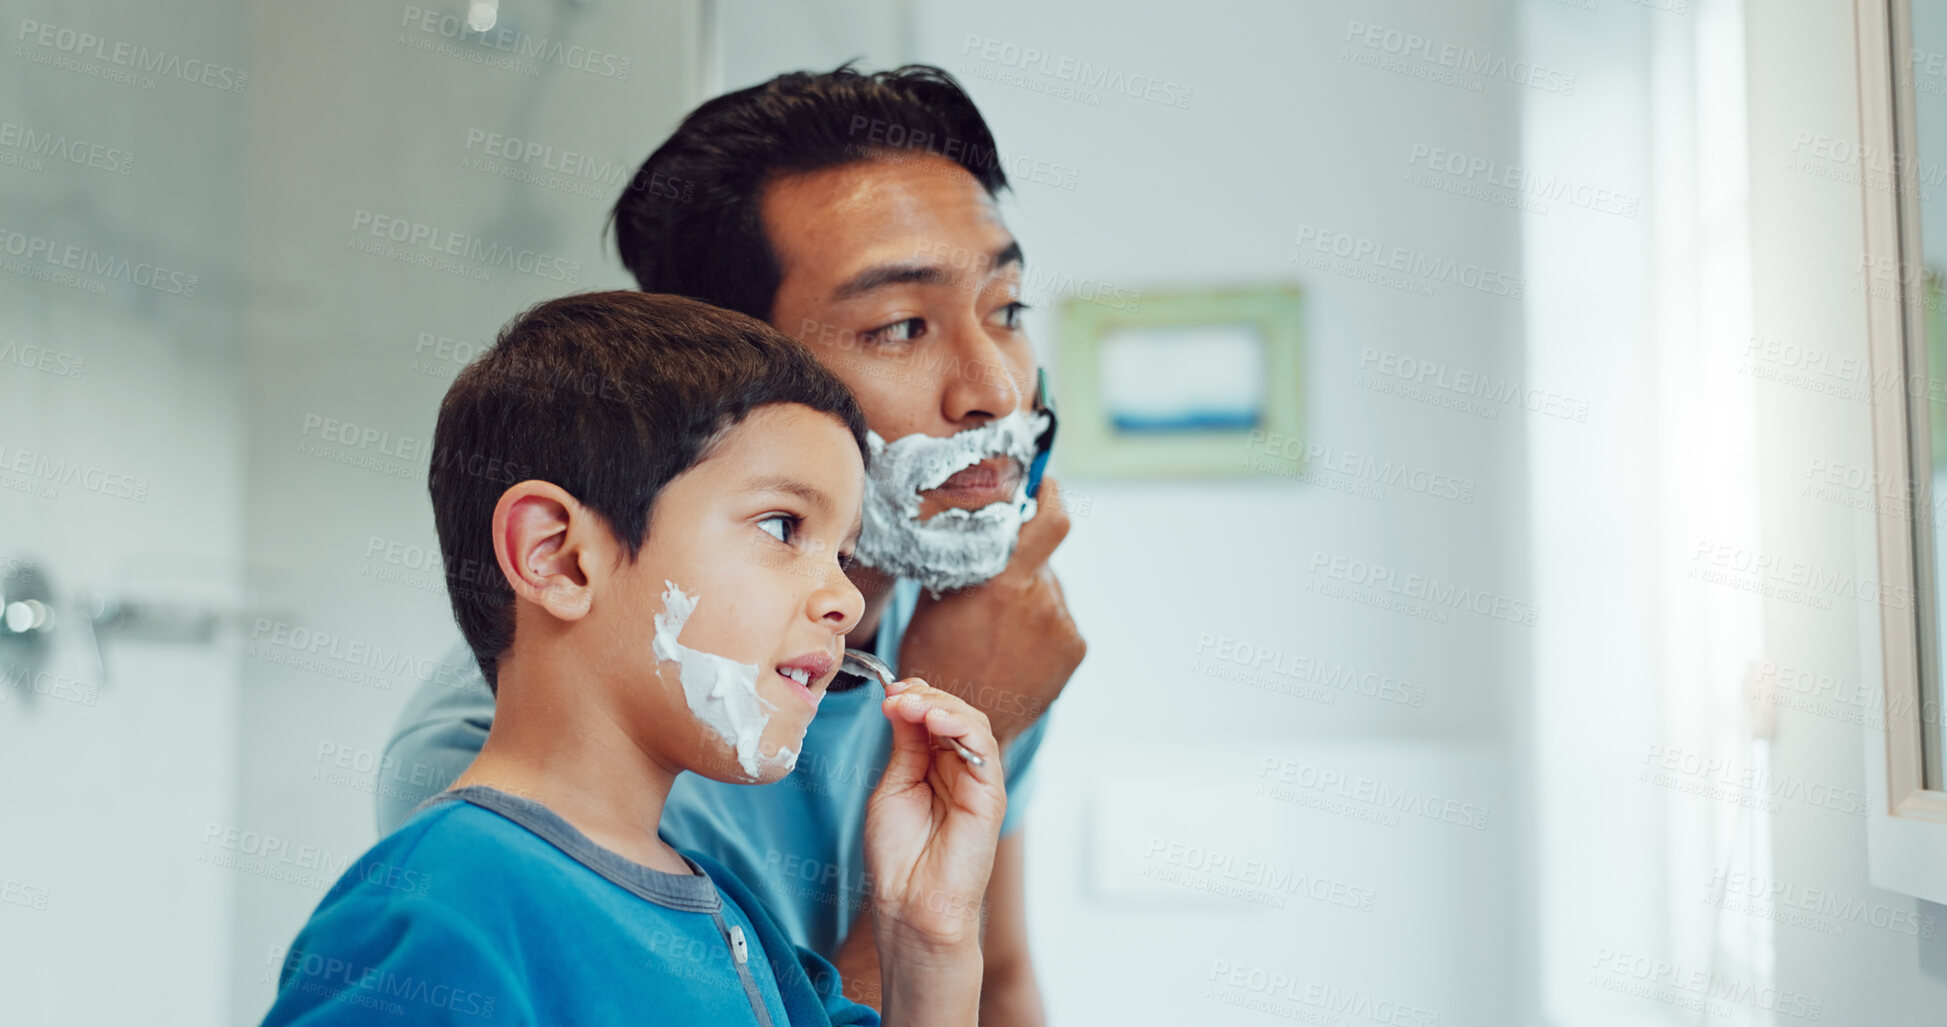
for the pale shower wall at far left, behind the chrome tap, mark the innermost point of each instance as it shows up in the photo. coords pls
(112, 782)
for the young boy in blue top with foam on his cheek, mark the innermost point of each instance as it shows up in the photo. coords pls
(645, 508)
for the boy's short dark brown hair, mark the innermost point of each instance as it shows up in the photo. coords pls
(610, 397)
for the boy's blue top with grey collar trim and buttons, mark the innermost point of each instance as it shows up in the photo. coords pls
(490, 909)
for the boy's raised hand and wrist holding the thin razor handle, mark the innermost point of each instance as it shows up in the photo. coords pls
(932, 829)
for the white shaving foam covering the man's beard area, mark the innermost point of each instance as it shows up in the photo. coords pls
(955, 549)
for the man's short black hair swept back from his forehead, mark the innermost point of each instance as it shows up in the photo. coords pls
(690, 221)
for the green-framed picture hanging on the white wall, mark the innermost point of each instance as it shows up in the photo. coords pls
(1185, 385)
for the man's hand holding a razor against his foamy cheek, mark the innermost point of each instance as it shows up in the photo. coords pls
(1008, 646)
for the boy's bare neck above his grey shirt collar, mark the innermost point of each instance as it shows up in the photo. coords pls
(556, 742)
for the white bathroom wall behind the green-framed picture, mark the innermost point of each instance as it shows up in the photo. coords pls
(1282, 132)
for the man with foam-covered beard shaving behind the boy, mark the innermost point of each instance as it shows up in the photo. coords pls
(858, 213)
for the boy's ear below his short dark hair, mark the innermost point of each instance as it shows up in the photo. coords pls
(546, 543)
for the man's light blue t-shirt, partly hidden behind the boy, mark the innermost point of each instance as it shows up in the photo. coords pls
(799, 845)
